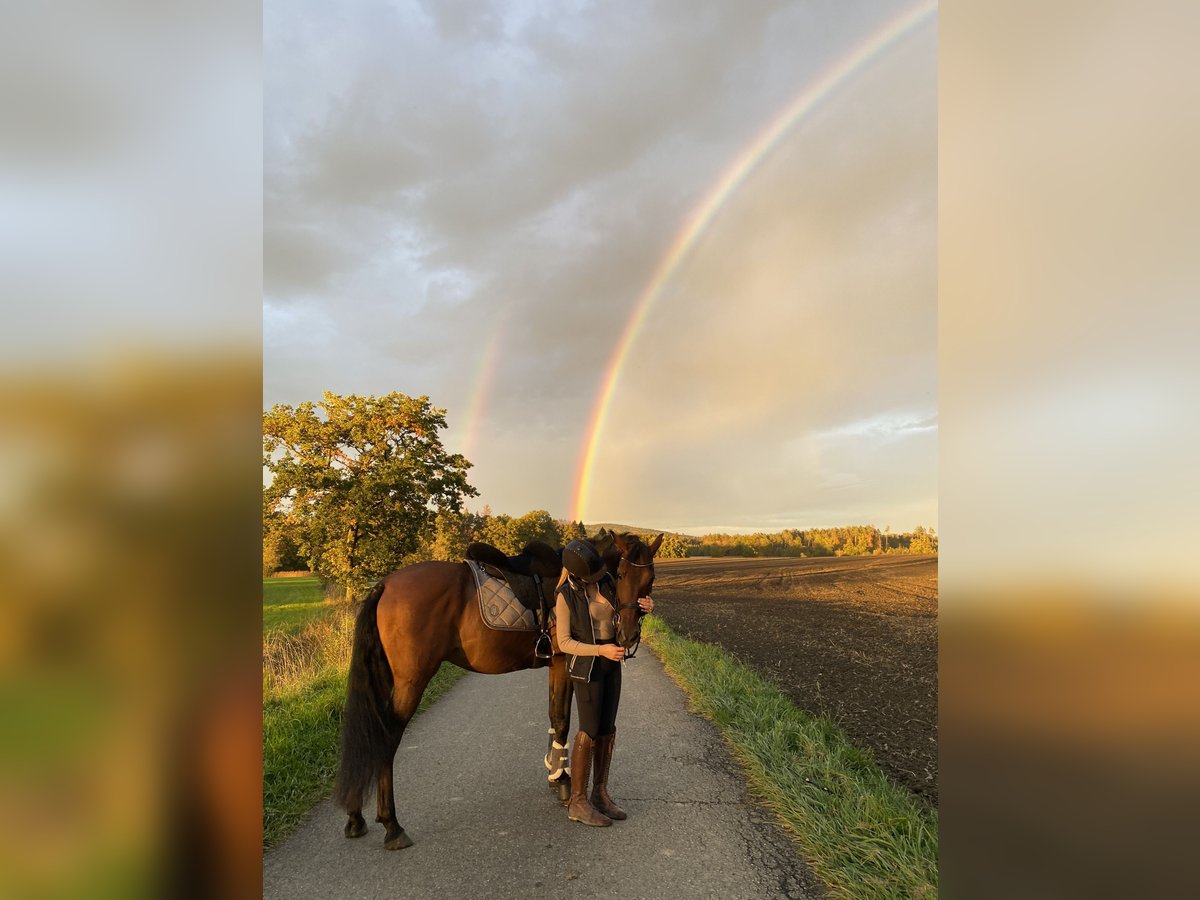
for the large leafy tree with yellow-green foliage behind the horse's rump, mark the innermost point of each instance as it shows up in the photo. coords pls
(361, 481)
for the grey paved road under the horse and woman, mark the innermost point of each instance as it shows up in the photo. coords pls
(471, 791)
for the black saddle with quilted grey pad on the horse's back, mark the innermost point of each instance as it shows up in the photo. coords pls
(513, 592)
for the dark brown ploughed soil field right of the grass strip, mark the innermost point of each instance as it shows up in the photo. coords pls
(854, 638)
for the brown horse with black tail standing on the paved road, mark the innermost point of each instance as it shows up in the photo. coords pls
(428, 614)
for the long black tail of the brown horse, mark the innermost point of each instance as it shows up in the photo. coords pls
(369, 721)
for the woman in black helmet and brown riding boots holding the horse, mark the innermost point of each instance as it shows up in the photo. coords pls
(585, 608)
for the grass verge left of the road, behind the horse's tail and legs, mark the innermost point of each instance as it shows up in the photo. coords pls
(304, 694)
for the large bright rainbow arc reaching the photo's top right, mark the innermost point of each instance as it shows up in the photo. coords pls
(703, 215)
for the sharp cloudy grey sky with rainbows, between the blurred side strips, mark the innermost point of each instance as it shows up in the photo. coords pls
(664, 265)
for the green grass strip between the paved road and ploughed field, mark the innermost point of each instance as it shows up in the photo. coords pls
(861, 835)
